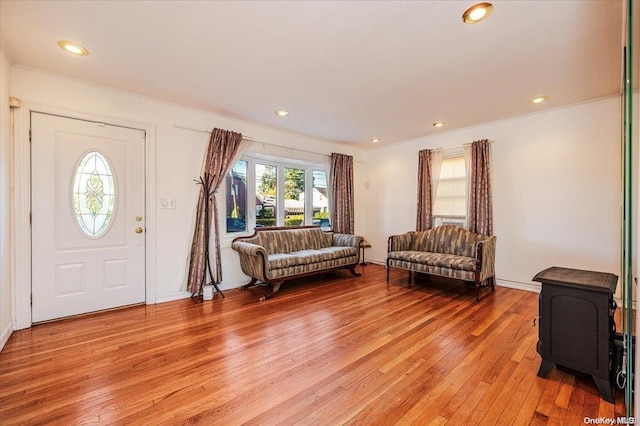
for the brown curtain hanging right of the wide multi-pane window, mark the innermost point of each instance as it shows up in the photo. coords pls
(341, 182)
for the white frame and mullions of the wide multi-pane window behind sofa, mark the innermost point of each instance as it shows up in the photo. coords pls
(252, 159)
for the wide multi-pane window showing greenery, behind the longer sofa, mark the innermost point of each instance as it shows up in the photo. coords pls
(280, 194)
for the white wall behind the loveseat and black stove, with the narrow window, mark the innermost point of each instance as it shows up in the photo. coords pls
(557, 184)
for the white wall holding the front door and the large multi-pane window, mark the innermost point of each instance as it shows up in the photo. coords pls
(178, 159)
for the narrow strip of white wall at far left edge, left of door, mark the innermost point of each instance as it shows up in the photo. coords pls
(6, 323)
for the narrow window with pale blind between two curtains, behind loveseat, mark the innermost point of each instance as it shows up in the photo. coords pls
(450, 207)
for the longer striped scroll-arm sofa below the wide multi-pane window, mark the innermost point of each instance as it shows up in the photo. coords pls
(274, 255)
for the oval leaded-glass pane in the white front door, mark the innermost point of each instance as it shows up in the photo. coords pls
(94, 194)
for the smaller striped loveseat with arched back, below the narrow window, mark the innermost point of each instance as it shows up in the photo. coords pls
(448, 251)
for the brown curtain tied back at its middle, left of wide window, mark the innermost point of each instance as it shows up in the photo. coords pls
(224, 148)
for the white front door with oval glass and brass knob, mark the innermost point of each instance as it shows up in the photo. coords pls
(87, 202)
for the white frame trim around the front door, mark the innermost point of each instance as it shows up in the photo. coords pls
(21, 282)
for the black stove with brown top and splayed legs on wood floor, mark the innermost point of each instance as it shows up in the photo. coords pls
(577, 328)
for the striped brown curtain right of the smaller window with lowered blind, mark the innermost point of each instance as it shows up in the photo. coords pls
(480, 199)
